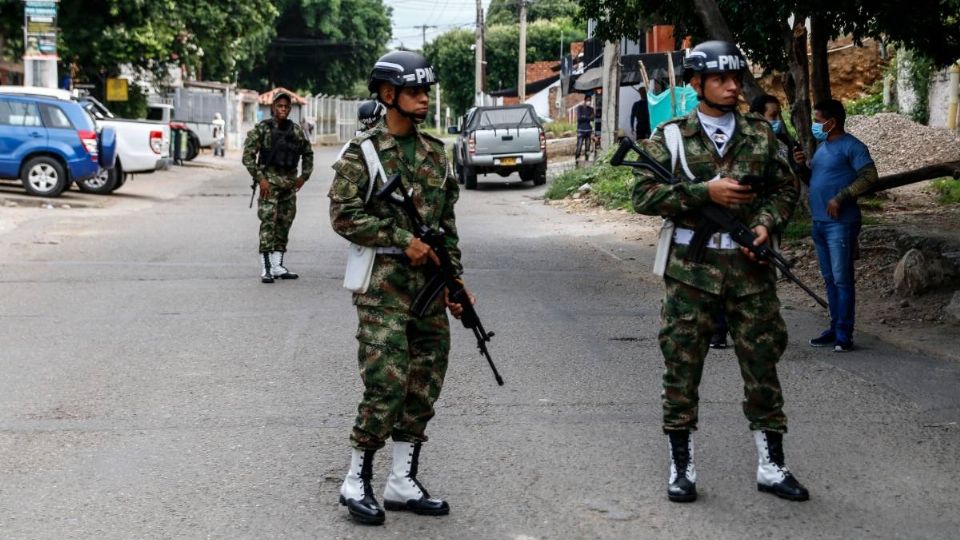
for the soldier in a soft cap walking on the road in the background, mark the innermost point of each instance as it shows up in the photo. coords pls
(271, 154)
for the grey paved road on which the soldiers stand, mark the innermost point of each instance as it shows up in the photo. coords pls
(152, 387)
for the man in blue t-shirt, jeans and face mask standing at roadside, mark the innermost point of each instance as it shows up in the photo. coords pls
(841, 171)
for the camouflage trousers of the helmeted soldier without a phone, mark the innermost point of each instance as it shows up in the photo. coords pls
(403, 361)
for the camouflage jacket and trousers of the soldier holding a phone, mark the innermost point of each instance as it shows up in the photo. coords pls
(726, 280)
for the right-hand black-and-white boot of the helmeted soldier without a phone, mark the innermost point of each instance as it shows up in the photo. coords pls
(404, 491)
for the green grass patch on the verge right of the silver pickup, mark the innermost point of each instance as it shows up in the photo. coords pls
(610, 186)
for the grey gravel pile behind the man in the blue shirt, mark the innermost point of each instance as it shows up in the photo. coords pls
(898, 144)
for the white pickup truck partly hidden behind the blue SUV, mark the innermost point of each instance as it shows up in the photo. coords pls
(142, 146)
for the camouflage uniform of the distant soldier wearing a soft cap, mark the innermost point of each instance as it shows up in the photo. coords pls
(277, 210)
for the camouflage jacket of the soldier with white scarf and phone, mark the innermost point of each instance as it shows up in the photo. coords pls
(753, 150)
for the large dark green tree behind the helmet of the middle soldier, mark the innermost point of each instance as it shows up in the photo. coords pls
(323, 45)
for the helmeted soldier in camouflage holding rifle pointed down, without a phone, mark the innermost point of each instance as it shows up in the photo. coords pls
(402, 358)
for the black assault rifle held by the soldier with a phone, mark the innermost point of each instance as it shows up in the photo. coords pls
(718, 218)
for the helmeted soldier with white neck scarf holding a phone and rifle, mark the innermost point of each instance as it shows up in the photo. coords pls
(720, 146)
